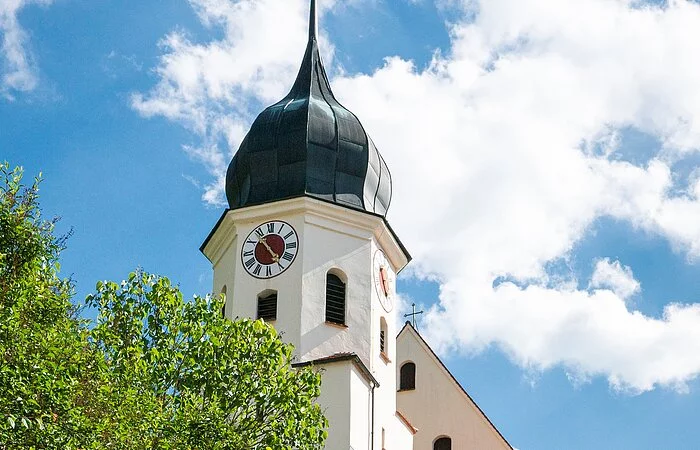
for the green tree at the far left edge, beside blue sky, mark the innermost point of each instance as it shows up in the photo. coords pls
(46, 358)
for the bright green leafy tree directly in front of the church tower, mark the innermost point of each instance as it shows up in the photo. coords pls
(217, 384)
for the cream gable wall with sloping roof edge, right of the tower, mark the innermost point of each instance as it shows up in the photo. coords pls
(438, 406)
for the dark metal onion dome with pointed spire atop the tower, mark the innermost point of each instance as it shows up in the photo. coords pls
(309, 144)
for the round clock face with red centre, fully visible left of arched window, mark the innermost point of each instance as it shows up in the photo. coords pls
(270, 249)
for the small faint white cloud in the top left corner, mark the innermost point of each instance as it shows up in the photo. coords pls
(18, 70)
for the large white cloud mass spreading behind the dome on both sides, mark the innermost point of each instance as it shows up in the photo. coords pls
(496, 144)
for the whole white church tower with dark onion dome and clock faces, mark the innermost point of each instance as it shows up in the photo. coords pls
(305, 246)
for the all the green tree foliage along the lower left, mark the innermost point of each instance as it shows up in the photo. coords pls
(153, 371)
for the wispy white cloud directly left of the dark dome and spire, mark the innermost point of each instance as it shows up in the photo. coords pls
(209, 87)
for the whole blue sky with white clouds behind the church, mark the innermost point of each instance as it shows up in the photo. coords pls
(557, 141)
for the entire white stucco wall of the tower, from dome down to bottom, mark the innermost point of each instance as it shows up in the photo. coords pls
(330, 237)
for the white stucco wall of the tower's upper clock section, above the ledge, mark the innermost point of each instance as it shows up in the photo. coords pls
(330, 237)
